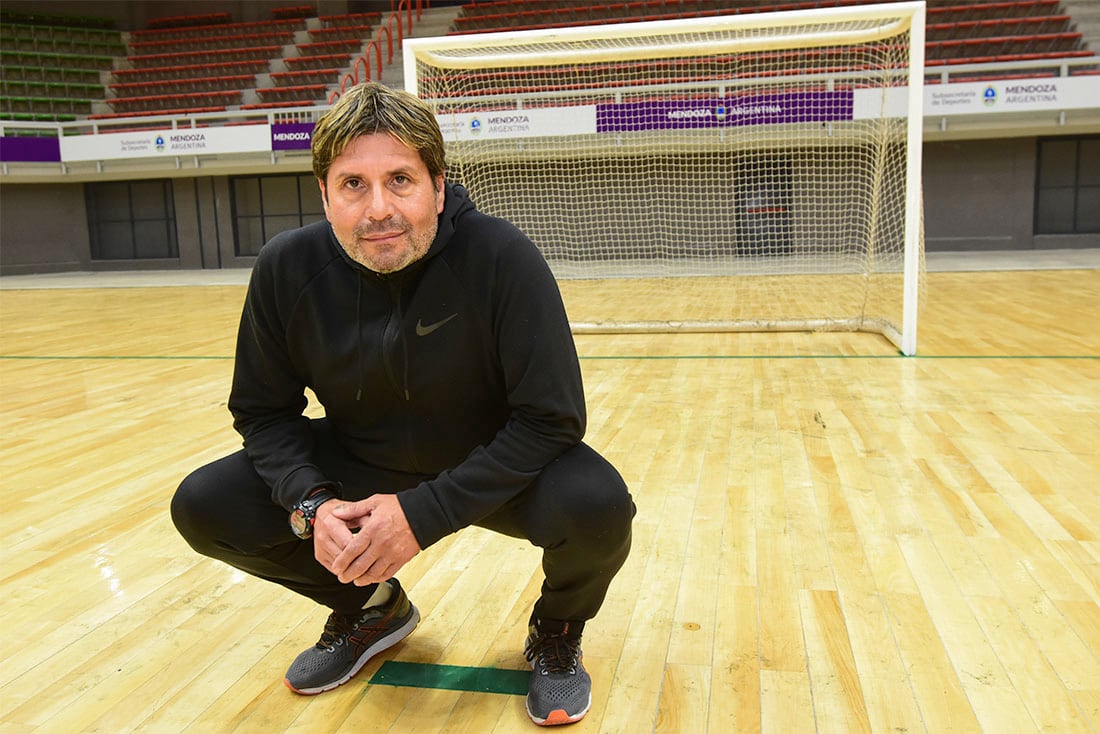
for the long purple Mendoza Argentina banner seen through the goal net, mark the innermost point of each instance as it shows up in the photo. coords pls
(733, 112)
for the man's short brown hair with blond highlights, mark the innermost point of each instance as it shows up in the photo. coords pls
(371, 108)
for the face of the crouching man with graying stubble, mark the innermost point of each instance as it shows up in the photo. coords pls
(382, 203)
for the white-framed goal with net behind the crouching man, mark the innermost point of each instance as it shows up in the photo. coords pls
(740, 172)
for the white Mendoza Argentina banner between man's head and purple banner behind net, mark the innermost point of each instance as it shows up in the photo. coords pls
(519, 124)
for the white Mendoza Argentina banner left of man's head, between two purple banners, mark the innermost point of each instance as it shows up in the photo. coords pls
(168, 144)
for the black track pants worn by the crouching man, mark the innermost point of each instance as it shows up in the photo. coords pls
(579, 511)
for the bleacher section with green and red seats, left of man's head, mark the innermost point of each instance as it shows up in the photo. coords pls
(61, 69)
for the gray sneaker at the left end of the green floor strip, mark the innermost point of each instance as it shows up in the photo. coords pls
(349, 641)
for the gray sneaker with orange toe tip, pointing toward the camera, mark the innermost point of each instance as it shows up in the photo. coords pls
(562, 689)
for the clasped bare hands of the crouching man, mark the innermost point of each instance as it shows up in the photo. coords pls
(366, 542)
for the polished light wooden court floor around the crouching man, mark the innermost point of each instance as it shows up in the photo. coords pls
(831, 538)
